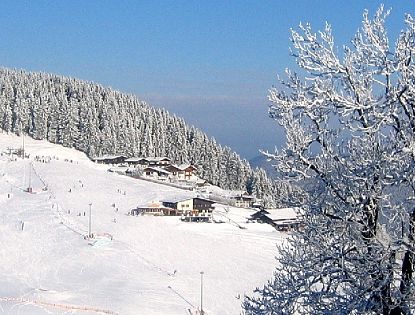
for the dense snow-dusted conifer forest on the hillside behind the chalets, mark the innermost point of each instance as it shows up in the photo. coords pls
(99, 120)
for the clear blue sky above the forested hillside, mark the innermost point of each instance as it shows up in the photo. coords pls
(211, 62)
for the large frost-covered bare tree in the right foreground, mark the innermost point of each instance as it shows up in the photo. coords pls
(349, 118)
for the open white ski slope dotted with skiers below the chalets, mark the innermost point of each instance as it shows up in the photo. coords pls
(151, 266)
